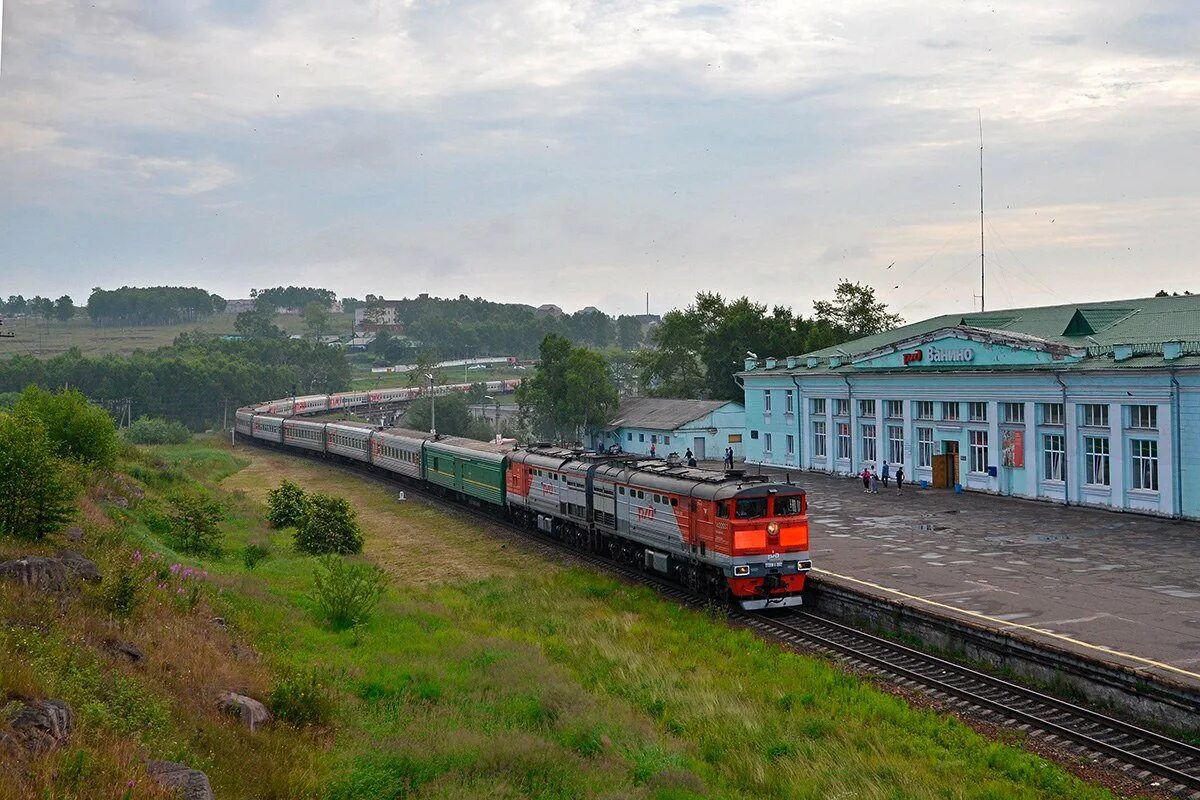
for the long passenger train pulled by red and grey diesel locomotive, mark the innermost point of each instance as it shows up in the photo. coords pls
(725, 536)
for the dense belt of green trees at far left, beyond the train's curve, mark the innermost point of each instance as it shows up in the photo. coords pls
(199, 381)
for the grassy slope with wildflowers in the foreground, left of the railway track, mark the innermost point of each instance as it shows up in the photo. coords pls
(488, 672)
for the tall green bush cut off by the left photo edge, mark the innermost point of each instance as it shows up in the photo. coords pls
(37, 494)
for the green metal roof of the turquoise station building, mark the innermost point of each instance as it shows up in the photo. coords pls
(1099, 327)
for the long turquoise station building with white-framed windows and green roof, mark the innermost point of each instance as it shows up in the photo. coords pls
(1089, 405)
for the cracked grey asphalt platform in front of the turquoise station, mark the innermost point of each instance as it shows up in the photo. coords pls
(1123, 588)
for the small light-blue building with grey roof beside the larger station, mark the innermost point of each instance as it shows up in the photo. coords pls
(675, 426)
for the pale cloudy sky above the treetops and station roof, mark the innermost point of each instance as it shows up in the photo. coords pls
(589, 153)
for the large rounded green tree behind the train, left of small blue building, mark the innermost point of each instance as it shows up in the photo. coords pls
(572, 392)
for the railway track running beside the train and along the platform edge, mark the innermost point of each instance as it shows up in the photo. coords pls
(1172, 765)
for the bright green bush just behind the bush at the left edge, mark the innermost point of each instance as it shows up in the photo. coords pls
(77, 429)
